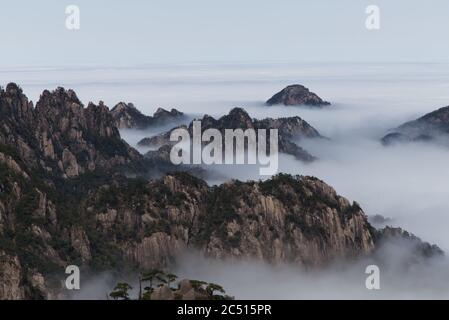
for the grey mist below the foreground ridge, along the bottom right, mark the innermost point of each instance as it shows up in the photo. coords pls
(400, 278)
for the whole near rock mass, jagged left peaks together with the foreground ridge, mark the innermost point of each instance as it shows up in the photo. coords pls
(72, 192)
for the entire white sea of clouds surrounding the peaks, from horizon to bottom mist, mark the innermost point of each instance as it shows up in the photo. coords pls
(408, 183)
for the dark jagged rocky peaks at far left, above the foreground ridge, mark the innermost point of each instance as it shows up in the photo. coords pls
(60, 135)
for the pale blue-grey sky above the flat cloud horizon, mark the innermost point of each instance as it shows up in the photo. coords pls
(125, 33)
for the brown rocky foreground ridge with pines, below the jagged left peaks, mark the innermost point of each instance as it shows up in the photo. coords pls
(146, 224)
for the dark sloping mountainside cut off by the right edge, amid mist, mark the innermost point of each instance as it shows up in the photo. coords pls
(430, 127)
